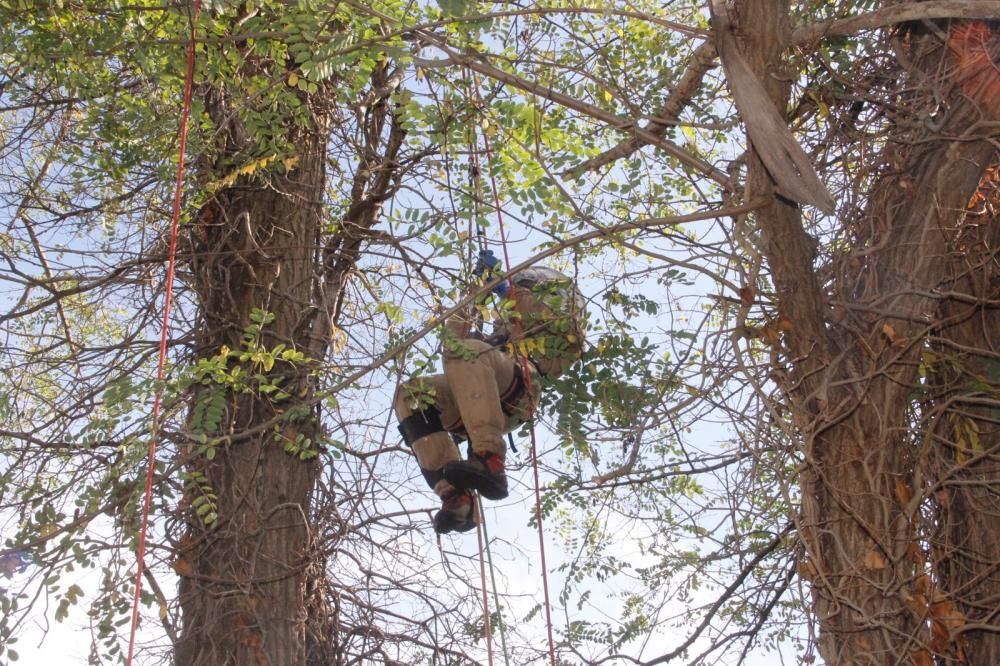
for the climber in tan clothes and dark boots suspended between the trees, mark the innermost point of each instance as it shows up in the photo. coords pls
(484, 393)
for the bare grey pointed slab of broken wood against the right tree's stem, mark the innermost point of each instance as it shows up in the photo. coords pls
(789, 166)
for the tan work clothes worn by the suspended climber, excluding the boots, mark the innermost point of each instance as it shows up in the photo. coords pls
(478, 378)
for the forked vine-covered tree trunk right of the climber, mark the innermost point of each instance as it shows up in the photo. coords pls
(853, 362)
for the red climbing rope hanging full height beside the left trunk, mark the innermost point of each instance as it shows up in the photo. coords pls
(171, 263)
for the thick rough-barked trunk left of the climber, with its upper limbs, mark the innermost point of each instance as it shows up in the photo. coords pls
(253, 583)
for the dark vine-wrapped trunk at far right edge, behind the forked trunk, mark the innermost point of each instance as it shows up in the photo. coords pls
(964, 464)
